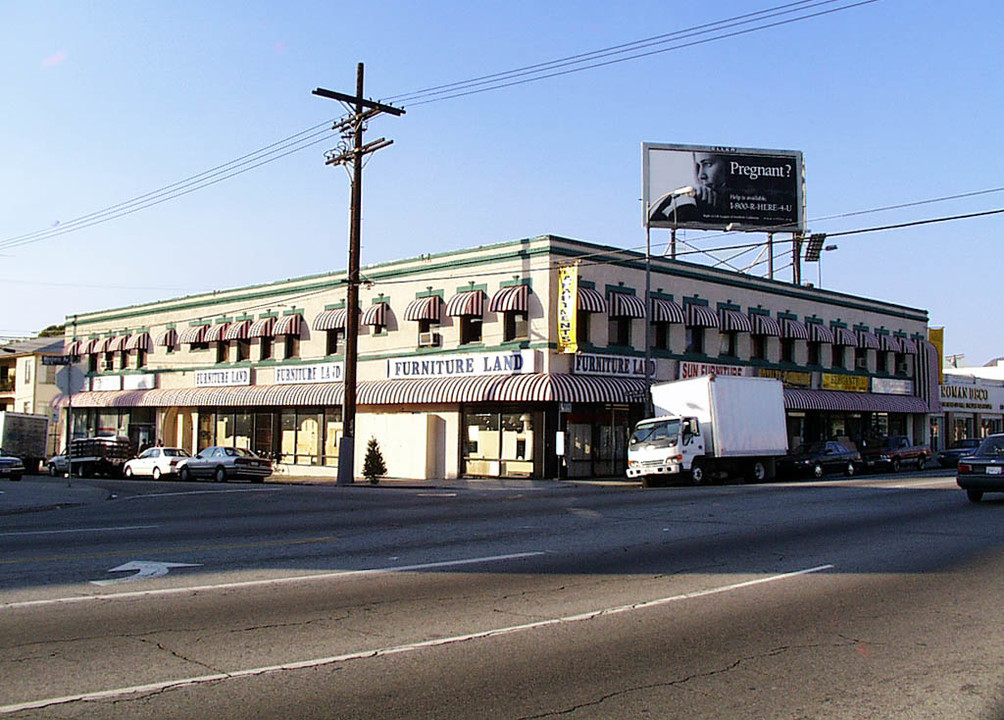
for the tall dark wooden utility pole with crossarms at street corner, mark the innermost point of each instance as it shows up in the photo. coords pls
(352, 129)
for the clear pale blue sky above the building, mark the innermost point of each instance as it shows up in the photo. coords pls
(892, 103)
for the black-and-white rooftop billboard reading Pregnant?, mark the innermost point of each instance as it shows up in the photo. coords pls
(711, 188)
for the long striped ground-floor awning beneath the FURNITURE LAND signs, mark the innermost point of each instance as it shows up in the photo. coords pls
(536, 388)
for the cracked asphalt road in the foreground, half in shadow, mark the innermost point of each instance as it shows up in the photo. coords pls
(875, 597)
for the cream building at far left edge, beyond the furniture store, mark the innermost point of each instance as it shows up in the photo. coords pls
(28, 386)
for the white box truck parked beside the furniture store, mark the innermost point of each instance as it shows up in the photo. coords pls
(715, 427)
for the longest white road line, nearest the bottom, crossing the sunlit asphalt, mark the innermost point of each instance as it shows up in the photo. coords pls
(399, 649)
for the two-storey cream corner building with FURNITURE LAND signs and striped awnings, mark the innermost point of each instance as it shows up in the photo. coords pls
(460, 371)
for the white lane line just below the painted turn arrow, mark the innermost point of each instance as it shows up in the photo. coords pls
(339, 575)
